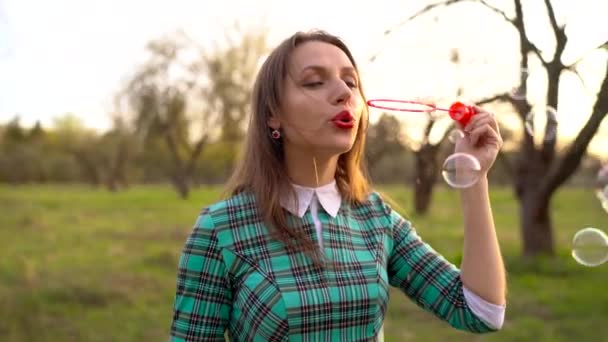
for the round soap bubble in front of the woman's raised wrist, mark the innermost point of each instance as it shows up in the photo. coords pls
(461, 170)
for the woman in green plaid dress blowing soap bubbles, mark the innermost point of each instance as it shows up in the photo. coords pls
(302, 249)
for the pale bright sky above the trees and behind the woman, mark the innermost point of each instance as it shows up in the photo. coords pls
(72, 55)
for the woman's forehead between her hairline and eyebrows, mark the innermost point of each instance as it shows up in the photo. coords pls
(319, 53)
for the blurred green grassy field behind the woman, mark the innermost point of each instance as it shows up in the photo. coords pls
(80, 264)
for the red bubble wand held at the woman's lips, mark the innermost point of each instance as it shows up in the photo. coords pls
(458, 111)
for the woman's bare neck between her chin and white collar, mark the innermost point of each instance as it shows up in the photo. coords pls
(301, 168)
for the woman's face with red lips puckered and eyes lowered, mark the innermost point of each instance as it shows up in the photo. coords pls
(321, 106)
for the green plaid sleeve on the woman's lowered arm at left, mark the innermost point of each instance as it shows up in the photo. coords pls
(203, 298)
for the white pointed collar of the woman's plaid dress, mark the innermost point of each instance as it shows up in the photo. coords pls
(328, 196)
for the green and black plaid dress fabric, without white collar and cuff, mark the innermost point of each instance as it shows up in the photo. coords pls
(232, 276)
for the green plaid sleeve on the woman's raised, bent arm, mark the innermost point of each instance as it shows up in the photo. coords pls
(428, 279)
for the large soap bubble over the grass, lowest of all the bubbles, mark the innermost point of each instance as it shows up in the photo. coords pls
(590, 247)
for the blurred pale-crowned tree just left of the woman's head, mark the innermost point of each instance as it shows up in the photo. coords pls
(183, 94)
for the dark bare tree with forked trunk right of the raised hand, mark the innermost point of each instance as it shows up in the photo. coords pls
(539, 169)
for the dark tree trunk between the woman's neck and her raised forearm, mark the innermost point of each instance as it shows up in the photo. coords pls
(424, 177)
